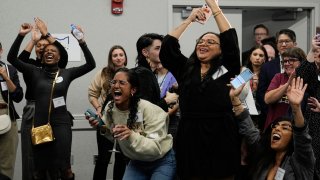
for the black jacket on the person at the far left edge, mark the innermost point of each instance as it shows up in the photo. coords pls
(15, 96)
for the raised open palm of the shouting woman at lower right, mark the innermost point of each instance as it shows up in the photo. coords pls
(295, 91)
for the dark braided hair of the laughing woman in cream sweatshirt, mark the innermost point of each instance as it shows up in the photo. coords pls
(134, 99)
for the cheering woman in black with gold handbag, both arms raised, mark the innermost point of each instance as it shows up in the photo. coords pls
(52, 159)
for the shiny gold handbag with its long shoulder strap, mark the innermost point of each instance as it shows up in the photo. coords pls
(43, 134)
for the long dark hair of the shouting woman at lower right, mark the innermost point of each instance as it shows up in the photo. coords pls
(263, 154)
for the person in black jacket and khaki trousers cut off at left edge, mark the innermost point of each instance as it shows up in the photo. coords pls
(10, 91)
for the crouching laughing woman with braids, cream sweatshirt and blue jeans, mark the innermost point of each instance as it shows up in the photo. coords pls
(140, 129)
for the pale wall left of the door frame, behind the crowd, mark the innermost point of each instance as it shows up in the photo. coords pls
(102, 30)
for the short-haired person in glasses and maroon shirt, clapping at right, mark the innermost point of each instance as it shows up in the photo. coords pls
(276, 98)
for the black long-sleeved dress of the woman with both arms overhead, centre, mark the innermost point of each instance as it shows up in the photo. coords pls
(207, 138)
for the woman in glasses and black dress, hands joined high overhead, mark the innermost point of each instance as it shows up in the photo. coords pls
(208, 145)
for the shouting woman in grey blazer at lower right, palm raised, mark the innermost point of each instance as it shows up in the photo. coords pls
(284, 150)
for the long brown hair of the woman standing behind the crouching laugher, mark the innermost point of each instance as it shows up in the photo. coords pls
(110, 69)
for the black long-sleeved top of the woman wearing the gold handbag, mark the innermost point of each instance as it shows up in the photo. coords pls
(41, 82)
